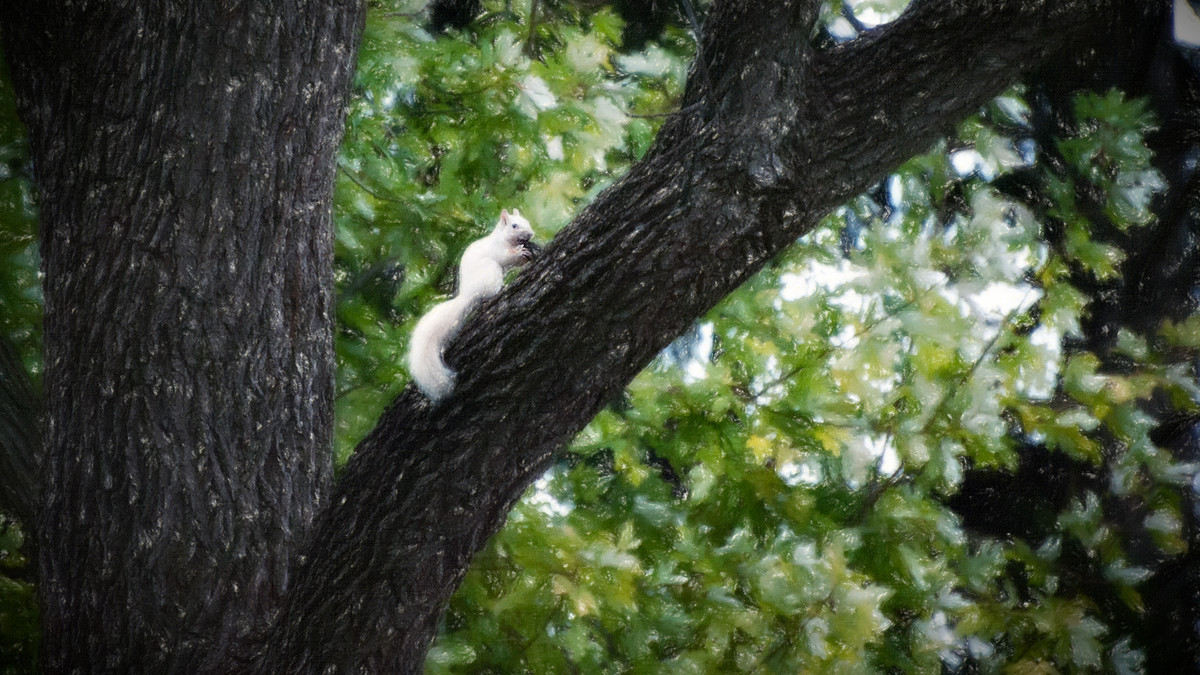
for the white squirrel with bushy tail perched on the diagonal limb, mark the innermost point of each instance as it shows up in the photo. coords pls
(481, 277)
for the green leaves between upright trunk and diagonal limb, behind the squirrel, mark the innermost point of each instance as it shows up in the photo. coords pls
(443, 134)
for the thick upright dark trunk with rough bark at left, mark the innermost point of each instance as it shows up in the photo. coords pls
(184, 157)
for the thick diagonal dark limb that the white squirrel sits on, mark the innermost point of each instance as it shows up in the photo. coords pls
(784, 138)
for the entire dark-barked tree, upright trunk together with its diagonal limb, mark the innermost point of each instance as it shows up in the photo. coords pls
(185, 157)
